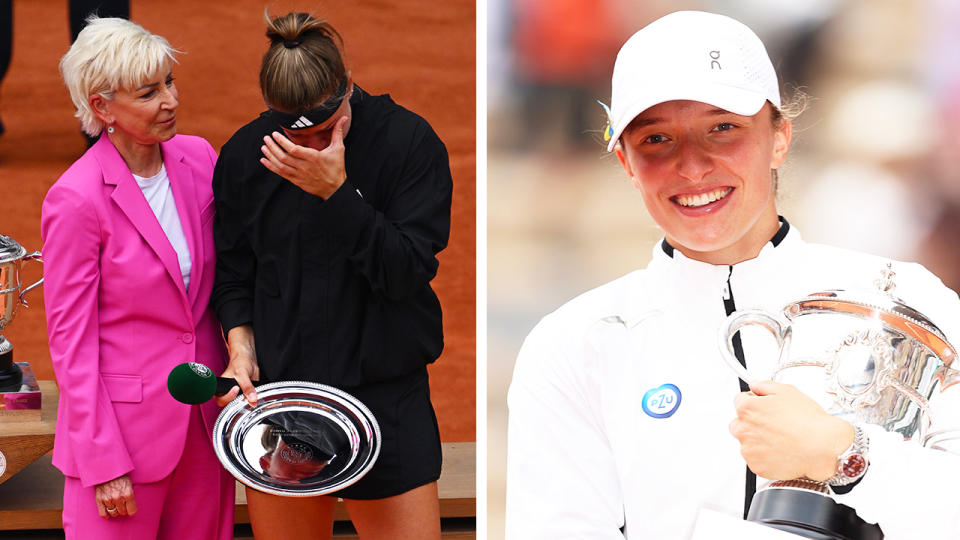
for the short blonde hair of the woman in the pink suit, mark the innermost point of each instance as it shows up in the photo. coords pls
(110, 54)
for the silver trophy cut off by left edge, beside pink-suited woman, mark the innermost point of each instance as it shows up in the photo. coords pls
(12, 258)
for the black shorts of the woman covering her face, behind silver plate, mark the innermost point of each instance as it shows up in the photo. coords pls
(410, 438)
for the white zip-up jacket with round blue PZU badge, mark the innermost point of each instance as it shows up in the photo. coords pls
(589, 457)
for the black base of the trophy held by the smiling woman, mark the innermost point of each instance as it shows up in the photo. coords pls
(810, 515)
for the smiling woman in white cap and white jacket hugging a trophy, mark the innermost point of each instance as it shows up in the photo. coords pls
(624, 389)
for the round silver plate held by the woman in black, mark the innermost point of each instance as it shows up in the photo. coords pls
(301, 439)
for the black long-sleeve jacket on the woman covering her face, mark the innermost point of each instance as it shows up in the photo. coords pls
(337, 290)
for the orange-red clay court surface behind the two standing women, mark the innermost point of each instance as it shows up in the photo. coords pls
(421, 52)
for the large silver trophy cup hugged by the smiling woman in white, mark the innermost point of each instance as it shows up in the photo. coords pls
(866, 357)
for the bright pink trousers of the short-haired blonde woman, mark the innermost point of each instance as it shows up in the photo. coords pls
(194, 502)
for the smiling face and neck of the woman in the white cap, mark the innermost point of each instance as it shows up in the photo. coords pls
(705, 176)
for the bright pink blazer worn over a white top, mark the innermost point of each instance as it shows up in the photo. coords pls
(118, 316)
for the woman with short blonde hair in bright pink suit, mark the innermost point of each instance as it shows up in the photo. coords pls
(129, 256)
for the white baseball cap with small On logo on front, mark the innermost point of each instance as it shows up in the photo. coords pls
(691, 55)
